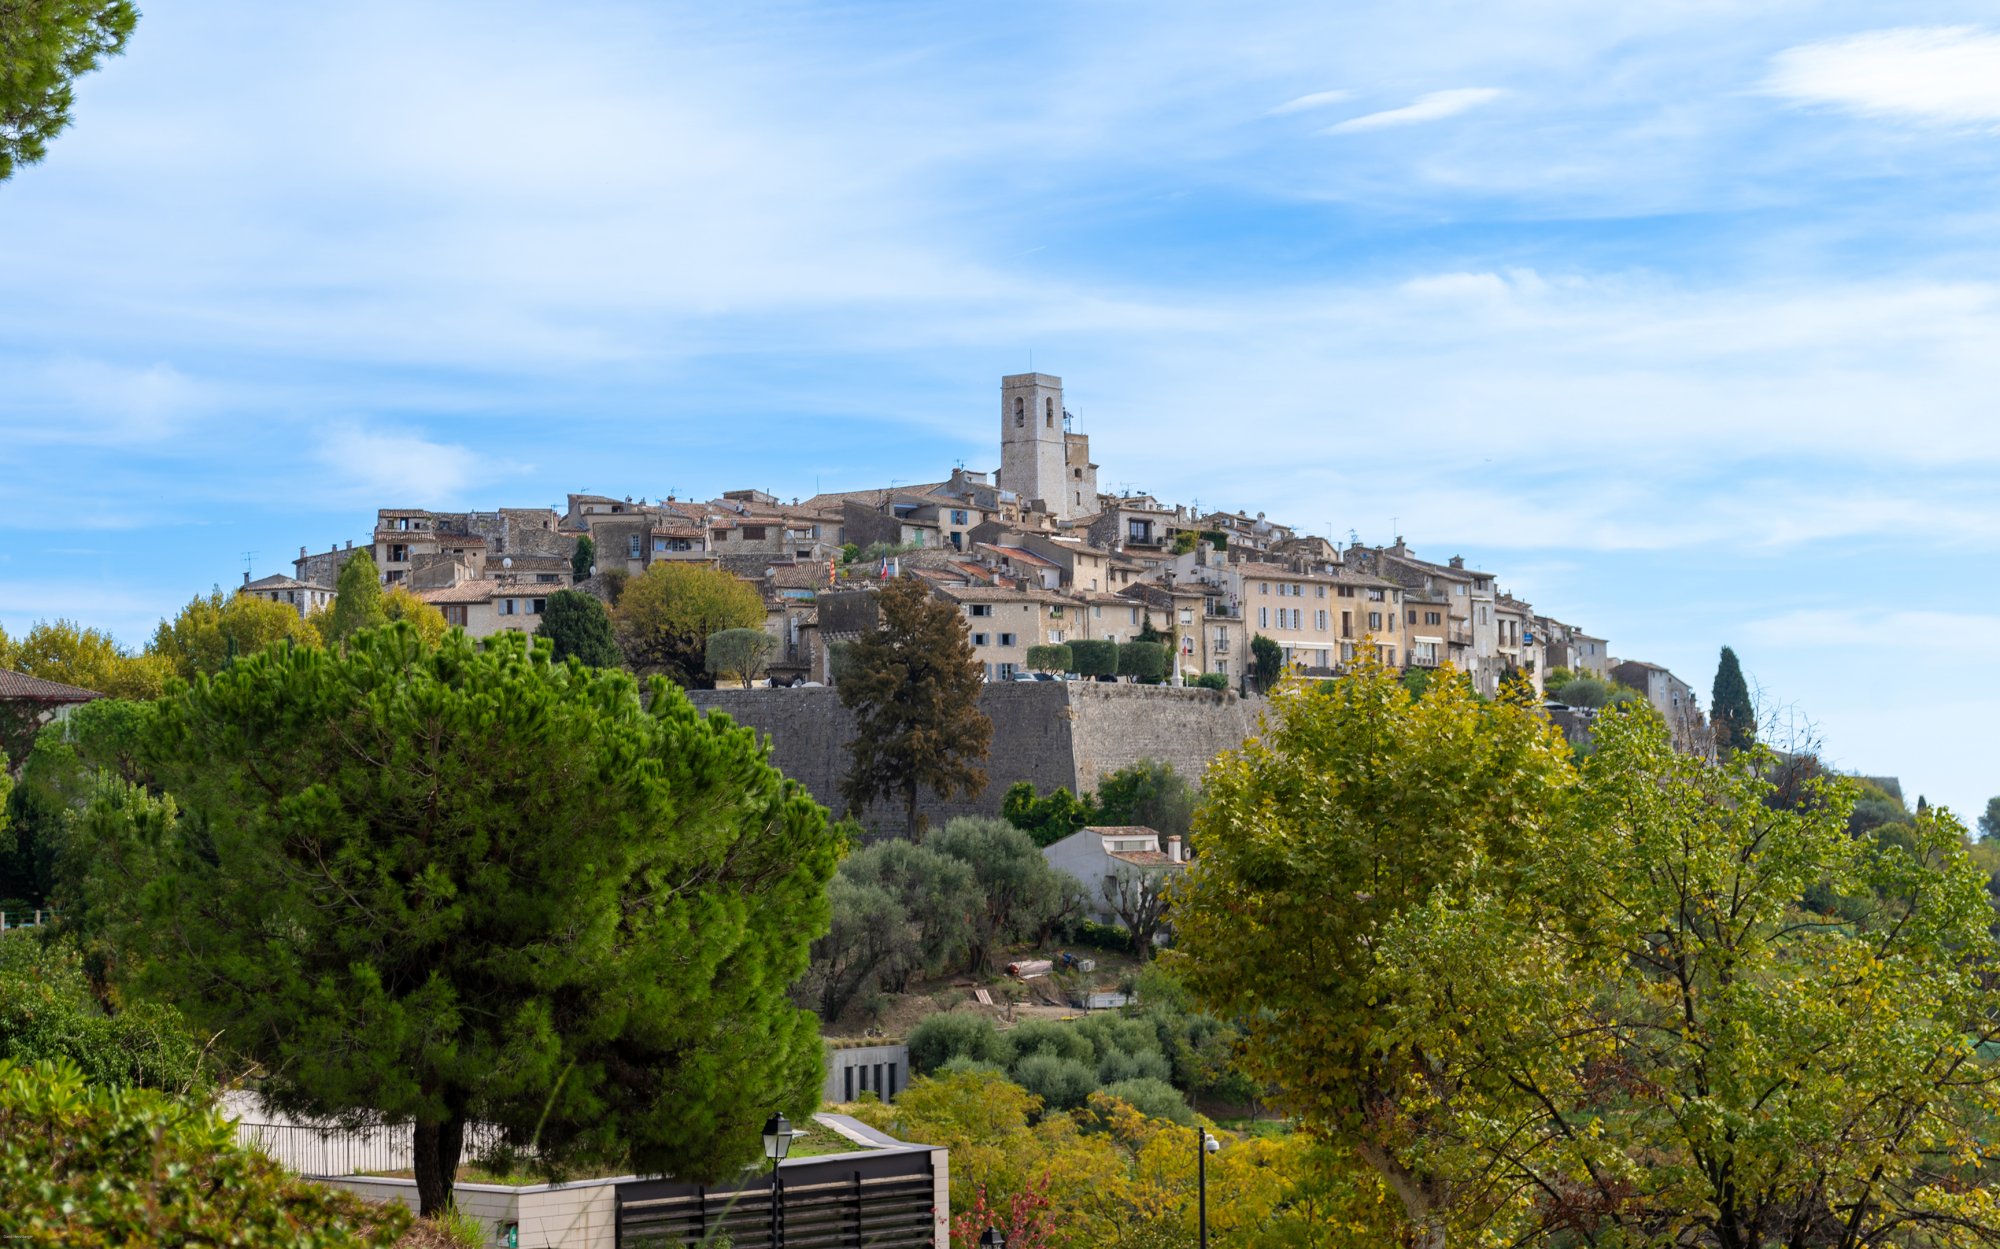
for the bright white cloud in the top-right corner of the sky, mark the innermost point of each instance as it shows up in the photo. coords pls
(1947, 75)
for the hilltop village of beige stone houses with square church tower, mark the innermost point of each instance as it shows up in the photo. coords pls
(1033, 555)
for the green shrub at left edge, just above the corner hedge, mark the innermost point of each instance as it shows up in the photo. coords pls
(47, 1014)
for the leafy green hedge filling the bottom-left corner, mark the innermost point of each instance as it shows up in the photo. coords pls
(89, 1166)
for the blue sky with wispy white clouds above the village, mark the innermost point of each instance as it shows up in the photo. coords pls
(1681, 317)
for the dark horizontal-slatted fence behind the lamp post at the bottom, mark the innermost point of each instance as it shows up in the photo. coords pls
(877, 1202)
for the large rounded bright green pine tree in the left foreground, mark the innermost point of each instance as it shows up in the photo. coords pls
(465, 850)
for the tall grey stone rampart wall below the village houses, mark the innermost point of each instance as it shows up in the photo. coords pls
(1045, 732)
